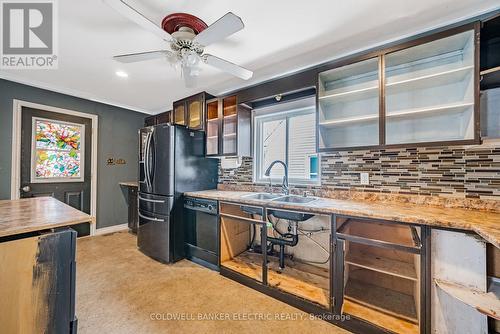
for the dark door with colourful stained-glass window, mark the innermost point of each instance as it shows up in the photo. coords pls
(55, 157)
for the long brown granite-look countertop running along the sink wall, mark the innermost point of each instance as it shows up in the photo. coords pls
(484, 223)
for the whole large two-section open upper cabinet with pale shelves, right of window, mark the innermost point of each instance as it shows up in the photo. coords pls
(425, 91)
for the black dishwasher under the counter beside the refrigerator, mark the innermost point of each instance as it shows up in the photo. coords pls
(202, 232)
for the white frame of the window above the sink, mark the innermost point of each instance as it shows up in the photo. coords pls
(281, 112)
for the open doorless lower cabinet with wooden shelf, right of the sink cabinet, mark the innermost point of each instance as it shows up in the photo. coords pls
(380, 273)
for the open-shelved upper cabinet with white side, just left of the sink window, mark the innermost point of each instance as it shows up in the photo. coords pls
(228, 127)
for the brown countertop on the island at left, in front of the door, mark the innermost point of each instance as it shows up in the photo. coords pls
(37, 213)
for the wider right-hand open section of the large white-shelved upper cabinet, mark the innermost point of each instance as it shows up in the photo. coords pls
(430, 91)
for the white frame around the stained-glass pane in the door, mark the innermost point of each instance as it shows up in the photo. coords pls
(34, 149)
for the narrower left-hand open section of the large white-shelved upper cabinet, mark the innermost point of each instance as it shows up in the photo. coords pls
(348, 104)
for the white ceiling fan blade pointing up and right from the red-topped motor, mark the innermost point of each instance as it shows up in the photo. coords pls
(220, 29)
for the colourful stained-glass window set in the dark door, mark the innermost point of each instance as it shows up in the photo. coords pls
(57, 151)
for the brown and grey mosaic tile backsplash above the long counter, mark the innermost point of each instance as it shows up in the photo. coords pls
(455, 171)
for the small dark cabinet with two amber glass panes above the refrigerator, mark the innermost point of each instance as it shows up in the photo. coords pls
(191, 111)
